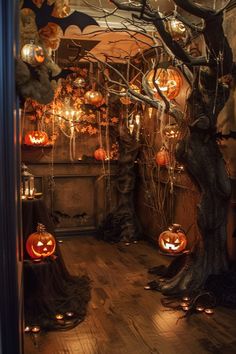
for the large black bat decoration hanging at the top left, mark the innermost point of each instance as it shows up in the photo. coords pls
(43, 16)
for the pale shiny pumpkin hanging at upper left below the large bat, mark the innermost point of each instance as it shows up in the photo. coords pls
(32, 54)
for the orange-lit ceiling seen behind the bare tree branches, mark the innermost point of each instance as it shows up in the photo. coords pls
(115, 45)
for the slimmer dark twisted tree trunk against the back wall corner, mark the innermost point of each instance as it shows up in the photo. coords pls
(122, 224)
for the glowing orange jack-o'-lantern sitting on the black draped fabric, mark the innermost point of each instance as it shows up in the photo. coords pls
(41, 243)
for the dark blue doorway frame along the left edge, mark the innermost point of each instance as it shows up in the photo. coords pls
(11, 261)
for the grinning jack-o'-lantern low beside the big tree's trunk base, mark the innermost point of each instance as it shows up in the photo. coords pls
(173, 240)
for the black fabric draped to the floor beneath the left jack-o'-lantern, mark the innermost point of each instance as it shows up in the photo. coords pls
(49, 289)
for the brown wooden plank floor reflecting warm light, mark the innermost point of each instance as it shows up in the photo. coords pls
(123, 318)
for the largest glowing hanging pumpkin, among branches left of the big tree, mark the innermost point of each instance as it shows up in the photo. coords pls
(169, 82)
